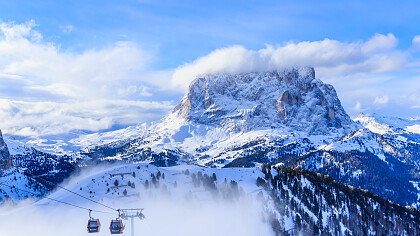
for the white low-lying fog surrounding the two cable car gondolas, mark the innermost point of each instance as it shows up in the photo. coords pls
(165, 215)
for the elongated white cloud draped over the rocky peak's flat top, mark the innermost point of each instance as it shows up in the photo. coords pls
(329, 57)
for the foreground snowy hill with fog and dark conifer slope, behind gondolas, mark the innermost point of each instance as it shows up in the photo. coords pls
(239, 201)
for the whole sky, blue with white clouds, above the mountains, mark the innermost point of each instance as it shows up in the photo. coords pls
(139, 56)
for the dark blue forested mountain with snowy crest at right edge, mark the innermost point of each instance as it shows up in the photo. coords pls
(383, 157)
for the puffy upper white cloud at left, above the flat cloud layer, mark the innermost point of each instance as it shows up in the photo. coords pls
(92, 73)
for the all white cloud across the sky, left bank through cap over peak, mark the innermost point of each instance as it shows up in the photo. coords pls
(46, 90)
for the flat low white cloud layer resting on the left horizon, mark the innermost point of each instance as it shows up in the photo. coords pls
(49, 118)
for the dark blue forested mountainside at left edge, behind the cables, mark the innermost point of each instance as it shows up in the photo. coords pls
(21, 165)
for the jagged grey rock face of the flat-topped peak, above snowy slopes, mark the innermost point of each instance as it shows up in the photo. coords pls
(291, 99)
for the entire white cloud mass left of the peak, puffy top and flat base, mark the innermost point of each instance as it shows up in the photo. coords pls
(46, 90)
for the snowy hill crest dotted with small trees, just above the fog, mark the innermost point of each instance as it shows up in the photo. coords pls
(110, 184)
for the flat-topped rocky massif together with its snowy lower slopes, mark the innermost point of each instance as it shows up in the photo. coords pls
(221, 113)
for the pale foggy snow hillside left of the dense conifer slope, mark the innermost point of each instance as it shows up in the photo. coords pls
(188, 200)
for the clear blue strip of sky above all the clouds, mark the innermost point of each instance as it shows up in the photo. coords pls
(180, 31)
